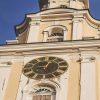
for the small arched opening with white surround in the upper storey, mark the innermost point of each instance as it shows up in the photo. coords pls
(55, 33)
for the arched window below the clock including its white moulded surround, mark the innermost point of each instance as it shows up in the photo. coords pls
(41, 90)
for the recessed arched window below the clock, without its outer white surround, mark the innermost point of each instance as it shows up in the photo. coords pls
(44, 92)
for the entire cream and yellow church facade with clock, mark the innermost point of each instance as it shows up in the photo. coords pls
(56, 55)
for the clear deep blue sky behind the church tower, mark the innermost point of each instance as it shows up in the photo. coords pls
(12, 12)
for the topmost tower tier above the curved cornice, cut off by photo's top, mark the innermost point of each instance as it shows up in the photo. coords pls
(76, 4)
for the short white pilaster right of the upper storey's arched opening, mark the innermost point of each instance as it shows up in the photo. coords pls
(77, 29)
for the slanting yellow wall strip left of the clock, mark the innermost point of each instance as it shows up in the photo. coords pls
(14, 78)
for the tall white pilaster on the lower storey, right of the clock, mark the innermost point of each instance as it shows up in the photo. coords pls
(88, 79)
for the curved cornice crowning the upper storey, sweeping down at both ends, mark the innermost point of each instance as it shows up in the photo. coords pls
(57, 14)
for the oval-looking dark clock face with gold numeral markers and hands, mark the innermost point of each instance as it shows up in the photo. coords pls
(45, 67)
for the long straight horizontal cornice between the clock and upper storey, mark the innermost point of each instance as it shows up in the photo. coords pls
(52, 47)
